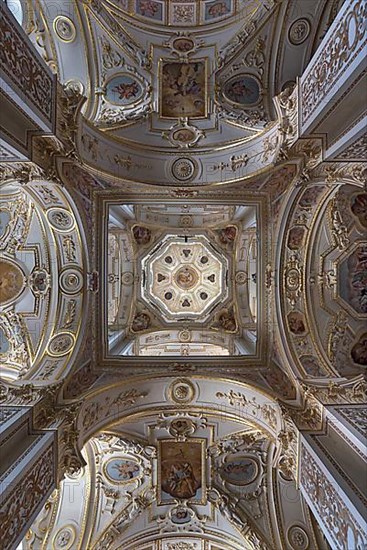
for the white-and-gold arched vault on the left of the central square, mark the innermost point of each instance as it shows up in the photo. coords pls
(41, 244)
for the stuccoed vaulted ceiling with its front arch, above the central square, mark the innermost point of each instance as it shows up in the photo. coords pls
(177, 93)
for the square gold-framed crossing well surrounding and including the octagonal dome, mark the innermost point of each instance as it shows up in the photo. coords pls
(180, 279)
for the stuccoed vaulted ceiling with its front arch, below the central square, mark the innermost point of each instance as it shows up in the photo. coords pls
(178, 475)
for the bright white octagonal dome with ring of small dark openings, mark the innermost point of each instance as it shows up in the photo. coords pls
(185, 277)
